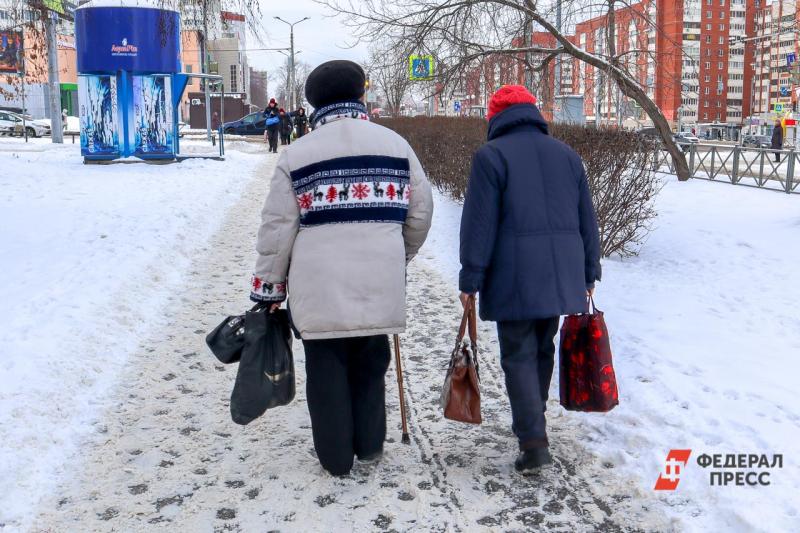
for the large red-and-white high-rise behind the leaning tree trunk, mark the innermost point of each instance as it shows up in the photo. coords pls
(680, 53)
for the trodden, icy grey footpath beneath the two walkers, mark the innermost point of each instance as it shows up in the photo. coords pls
(168, 456)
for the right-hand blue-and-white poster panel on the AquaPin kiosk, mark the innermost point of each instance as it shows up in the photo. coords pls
(152, 116)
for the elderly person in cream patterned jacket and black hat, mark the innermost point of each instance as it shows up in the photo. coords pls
(348, 208)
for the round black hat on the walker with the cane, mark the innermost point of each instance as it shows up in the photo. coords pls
(335, 81)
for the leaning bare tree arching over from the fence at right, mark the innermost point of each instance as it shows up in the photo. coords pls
(461, 33)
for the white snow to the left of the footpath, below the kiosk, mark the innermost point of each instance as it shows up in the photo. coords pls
(89, 253)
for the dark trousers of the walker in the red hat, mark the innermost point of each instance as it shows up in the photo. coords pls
(527, 353)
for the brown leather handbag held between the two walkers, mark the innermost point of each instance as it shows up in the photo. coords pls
(461, 395)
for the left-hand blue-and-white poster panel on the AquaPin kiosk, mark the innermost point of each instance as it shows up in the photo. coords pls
(97, 96)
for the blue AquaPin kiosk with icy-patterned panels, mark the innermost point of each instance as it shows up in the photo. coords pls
(129, 79)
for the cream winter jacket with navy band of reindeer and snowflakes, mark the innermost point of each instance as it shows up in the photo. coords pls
(348, 208)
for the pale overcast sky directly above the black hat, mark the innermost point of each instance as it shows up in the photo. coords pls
(322, 38)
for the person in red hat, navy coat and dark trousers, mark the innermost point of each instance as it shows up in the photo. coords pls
(530, 246)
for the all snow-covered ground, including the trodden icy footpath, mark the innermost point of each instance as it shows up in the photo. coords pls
(703, 322)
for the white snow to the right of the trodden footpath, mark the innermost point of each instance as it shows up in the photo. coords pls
(704, 325)
